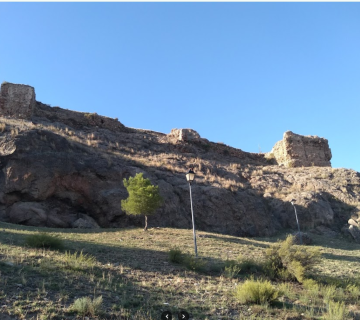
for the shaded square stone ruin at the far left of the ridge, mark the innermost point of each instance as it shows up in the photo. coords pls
(17, 100)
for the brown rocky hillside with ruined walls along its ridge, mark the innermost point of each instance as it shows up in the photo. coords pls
(61, 168)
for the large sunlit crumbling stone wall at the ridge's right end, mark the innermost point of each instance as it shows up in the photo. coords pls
(302, 151)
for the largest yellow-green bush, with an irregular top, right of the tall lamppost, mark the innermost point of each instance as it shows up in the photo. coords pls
(290, 262)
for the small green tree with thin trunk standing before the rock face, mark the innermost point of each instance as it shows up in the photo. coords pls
(144, 198)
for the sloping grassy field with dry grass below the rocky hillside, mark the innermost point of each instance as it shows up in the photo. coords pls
(127, 274)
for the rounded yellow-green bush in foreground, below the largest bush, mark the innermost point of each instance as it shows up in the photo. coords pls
(256, 291)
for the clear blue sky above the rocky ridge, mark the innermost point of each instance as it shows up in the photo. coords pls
(238, 73)
